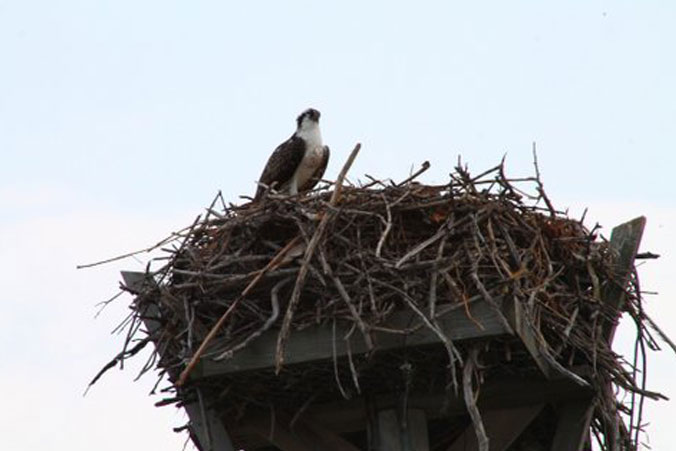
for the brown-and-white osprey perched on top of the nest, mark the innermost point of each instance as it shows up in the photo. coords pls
(298, 163)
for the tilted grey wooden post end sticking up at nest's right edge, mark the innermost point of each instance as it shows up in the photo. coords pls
(625, 240)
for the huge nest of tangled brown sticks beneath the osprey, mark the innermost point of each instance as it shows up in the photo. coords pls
(288, 263)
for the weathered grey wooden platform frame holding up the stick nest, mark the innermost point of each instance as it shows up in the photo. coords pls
(509, 405)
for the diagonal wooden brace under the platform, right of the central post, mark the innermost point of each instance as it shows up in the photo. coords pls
(503, 427)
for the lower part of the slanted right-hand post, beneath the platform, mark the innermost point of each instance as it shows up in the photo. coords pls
(572, 429)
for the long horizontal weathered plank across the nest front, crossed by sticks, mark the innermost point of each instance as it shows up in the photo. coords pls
(317, 342)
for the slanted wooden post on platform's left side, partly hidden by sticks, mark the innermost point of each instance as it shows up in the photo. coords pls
(205, 425)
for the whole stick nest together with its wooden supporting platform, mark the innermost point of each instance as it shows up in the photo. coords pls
(467, 316)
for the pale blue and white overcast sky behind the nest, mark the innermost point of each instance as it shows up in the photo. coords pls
(120, 120)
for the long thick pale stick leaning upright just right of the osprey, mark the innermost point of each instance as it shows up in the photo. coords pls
(312, 245)
